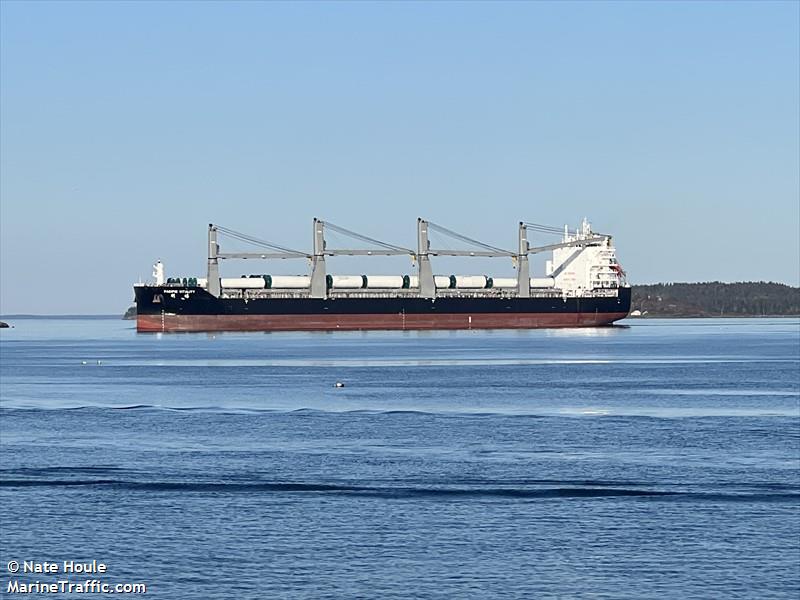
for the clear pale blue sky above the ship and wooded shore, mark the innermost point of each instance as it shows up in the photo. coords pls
(125, 128)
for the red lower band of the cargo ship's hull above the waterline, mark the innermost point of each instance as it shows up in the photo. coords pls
(401, 322)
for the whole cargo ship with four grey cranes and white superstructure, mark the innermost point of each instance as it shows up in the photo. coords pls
(583, 286)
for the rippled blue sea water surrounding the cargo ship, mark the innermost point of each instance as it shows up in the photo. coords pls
(656, 460)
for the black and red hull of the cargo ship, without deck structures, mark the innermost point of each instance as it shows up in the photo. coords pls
(193, 309)
